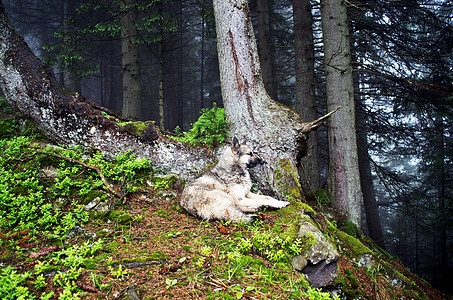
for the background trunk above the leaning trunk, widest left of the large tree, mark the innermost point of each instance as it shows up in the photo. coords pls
(130, 62)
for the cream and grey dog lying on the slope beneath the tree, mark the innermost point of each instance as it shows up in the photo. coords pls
(223, 193)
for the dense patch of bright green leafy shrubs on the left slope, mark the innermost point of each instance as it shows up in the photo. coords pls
(49, 186)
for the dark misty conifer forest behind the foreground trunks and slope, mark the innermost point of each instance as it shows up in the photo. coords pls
(403, 75)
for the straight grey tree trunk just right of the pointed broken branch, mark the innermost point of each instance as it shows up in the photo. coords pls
(343, 178)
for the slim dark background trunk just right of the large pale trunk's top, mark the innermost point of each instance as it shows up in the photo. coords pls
(265, 46)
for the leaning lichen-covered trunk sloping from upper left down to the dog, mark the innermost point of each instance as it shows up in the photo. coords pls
(68, 119)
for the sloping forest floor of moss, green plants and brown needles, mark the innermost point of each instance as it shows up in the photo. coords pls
(146, 246)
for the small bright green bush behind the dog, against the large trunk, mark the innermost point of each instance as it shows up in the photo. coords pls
(210, 130)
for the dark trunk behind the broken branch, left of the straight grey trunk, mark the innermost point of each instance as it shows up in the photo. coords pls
(305, 95)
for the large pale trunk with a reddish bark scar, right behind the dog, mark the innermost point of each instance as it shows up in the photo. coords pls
(273, 130)
